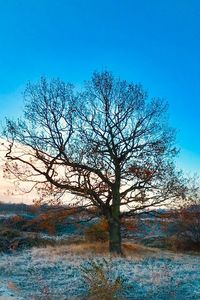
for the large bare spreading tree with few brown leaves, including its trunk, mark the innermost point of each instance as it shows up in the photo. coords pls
(109, 146)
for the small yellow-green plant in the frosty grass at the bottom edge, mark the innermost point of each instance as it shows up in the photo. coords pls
(97, 275)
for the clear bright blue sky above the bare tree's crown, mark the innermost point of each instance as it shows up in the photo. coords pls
(154, 42)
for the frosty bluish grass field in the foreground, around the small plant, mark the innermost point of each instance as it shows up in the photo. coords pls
(54, 273)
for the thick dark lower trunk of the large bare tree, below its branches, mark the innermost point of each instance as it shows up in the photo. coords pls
(115, 235)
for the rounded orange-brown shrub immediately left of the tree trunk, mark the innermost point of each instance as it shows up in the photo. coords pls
(97, 232)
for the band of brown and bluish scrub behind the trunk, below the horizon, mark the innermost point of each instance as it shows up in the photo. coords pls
(177, 231)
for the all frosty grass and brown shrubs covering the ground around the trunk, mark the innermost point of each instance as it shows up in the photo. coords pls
(78, 256)
